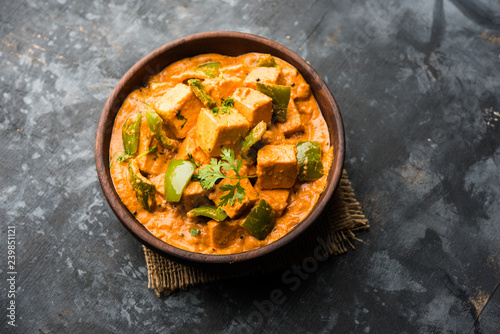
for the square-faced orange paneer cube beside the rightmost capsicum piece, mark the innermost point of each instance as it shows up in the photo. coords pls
(277, 166)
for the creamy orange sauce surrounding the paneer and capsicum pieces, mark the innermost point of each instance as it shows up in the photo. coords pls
(169, 221)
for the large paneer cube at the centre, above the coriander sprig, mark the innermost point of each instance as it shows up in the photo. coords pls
(215, 131)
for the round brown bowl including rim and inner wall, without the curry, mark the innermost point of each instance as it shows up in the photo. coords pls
(231, 44)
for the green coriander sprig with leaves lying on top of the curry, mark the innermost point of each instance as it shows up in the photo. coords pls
(211, 173)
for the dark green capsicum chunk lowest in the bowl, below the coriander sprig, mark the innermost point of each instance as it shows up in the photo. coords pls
(260, 221)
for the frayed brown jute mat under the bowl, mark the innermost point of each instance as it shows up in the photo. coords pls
(331, 235)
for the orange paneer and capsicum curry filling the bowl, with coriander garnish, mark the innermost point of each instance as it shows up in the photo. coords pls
(220, 154)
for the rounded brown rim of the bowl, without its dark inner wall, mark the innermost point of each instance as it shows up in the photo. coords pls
(121, 91)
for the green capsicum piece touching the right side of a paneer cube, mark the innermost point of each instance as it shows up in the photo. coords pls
(309, 160)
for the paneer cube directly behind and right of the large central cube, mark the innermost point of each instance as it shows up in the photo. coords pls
(254, 105)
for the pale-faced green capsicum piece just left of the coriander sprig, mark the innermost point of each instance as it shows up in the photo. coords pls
(177, 177)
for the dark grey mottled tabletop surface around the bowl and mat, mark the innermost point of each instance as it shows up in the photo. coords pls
(418, 85)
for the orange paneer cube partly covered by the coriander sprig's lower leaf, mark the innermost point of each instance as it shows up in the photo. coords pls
(238, 208)
